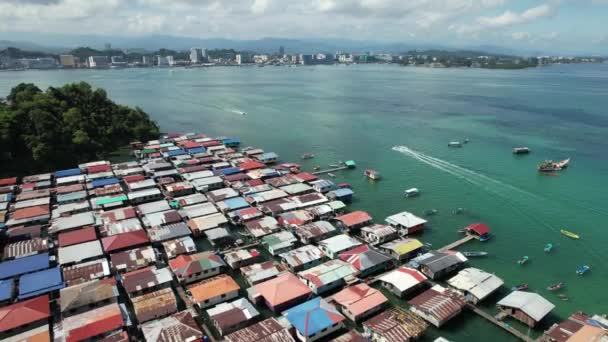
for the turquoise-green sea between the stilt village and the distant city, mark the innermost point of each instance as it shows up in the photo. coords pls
(363, 112)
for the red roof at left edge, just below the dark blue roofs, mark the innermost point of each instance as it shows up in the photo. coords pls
(22, 313)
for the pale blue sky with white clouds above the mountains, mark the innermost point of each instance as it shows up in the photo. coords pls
(567, 25)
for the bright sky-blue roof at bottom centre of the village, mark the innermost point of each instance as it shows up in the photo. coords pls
(313, 316)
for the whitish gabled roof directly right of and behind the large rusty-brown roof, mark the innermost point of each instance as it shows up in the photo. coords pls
(477, 282)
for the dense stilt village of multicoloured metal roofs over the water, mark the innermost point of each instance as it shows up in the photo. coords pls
(200, 239)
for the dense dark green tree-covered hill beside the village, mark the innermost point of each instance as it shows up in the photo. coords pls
(61, 127)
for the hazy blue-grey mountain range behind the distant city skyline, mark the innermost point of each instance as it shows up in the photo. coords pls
(57, 43)
